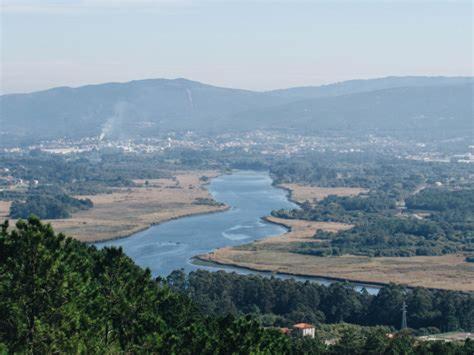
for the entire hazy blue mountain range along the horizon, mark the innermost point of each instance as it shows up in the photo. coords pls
(423, 106)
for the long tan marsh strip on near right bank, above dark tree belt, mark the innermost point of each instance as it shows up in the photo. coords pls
(445, 272)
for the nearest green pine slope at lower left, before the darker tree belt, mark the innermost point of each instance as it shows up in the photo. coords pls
(58, 295)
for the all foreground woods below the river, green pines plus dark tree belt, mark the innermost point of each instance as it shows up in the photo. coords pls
(58, 295)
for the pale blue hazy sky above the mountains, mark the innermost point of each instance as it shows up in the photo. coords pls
(257, 45)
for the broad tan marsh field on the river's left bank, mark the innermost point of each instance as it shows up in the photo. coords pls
(129, 210)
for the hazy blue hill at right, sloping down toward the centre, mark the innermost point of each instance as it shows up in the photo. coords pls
(430, 111)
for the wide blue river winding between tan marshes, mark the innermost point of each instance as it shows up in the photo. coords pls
(172, 245)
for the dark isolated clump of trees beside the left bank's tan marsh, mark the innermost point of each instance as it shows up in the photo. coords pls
(49, 203)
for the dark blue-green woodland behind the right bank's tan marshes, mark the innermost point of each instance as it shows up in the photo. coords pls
(383, 226)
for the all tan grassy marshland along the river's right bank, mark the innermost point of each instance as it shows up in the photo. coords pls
(274, 254)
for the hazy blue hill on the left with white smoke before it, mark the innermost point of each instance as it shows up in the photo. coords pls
(117, 109)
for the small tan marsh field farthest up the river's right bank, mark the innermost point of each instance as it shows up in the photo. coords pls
(301, 193)
